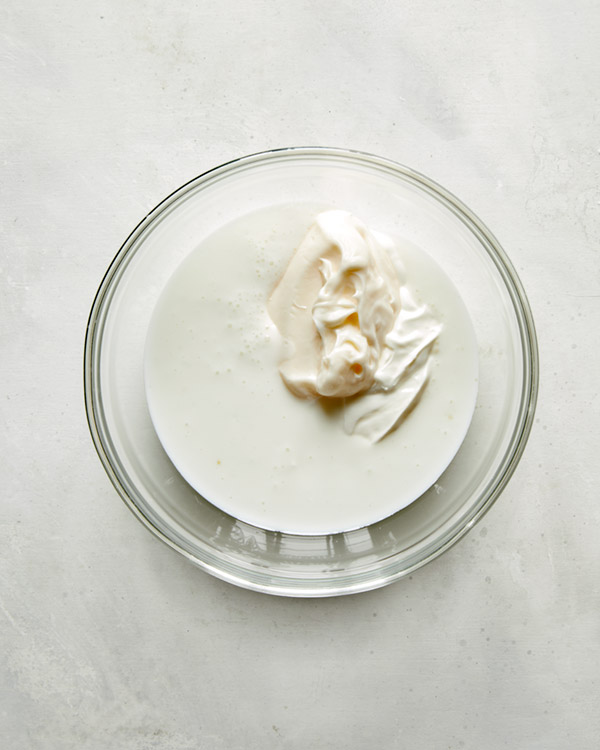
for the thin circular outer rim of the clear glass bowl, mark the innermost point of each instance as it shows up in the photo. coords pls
(523, 421)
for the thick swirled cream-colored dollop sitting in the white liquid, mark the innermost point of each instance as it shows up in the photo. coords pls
(352, 328)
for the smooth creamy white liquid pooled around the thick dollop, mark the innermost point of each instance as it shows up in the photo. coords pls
(242, 439)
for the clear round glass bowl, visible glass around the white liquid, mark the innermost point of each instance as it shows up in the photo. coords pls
(382, 193)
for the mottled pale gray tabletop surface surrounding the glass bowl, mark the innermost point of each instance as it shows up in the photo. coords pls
(111, 640)
